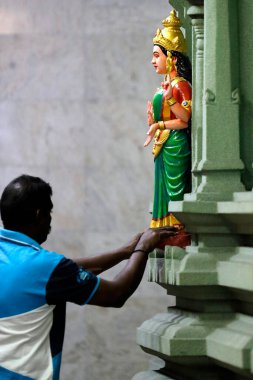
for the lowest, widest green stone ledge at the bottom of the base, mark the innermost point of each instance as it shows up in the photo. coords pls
(226, 338)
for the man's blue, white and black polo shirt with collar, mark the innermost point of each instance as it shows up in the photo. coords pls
(35, 285)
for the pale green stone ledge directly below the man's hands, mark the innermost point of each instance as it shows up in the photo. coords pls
(230, 267)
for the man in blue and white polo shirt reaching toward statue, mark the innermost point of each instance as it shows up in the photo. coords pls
(36, 284)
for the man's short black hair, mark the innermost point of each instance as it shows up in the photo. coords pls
(22, 198)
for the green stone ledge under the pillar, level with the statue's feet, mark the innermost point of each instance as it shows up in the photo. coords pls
(232, 215)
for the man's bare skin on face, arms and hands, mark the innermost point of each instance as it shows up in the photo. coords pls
(113, 293)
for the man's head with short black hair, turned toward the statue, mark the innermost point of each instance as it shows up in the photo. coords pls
(26, 205)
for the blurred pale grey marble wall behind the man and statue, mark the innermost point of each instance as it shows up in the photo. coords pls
(75, 78)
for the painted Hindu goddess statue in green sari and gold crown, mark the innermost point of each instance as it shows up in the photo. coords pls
(169, 116)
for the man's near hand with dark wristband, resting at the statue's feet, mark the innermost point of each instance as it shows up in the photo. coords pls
(153, 237)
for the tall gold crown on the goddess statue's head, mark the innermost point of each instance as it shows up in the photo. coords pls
(171, 37)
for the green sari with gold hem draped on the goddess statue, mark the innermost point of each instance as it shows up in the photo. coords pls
(172, 167)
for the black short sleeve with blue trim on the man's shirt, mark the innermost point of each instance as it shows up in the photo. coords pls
(71, 283)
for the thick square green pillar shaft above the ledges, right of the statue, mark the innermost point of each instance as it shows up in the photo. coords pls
(221, 102)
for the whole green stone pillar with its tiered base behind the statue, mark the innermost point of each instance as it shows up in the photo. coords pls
(208, 334)
